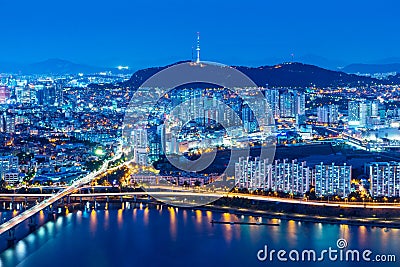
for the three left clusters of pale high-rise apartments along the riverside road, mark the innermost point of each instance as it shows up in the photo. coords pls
(293, 177)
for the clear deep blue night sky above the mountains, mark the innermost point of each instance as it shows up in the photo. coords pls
(148, 33)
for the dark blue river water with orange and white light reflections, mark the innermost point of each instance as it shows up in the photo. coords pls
(181, 233)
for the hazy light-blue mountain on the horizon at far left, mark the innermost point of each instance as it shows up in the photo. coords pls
(54, 66)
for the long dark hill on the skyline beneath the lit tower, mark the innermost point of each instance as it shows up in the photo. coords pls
(287, 75)
